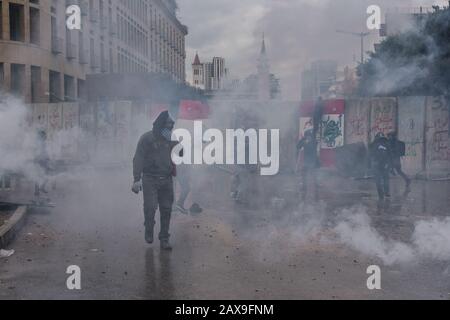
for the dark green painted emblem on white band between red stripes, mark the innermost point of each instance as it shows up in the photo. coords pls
(332, 131)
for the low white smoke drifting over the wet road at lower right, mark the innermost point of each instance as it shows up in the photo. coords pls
(314, 226)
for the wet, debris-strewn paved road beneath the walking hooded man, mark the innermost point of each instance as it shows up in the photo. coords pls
(224, 253)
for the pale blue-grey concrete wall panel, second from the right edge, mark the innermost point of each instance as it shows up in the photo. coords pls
(411, 130)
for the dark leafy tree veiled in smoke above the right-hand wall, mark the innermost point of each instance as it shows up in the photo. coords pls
(415, 62)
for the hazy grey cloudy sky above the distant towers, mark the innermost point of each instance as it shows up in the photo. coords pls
(297, 32)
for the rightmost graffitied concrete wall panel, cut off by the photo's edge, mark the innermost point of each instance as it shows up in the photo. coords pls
(437, 147)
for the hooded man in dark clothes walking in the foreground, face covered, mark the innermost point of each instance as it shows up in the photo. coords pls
(153, 170)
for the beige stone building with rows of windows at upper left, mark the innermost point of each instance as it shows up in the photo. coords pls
(41, 60)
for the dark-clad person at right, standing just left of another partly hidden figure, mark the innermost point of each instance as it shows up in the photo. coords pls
(380, 158)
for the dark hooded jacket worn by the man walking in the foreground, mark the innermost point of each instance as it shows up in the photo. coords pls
(153, 152)
